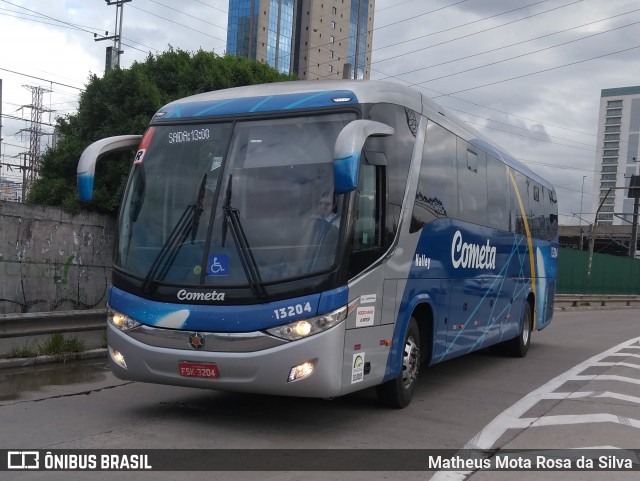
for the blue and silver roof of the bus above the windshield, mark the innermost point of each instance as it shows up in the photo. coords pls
(283, 96)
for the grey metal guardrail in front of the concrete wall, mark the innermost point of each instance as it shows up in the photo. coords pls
(56, 322)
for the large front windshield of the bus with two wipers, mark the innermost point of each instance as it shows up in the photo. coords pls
(233, 204)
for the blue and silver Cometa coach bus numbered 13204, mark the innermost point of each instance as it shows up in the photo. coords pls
(317, 238)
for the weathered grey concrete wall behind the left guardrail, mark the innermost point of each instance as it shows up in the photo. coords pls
(52, 259)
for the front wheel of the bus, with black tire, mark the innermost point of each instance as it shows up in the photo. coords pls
(397, 393)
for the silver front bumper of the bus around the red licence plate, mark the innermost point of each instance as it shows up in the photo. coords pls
(264, 371)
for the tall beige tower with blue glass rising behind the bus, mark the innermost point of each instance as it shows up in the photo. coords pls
(313, 39)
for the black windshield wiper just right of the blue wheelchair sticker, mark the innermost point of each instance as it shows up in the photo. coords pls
(232, 221)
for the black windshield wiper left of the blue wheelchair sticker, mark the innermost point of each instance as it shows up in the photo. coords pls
(187, 223)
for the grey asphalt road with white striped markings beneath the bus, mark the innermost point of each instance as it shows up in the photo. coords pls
(578, 387)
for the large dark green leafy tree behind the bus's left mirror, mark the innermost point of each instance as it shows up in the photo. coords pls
(122, 102)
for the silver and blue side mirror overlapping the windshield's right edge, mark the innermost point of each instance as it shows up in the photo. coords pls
(347, 151)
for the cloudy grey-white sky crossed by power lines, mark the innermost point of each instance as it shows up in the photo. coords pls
(526, 73)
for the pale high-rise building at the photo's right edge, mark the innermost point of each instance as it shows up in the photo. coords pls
(617, 153)
